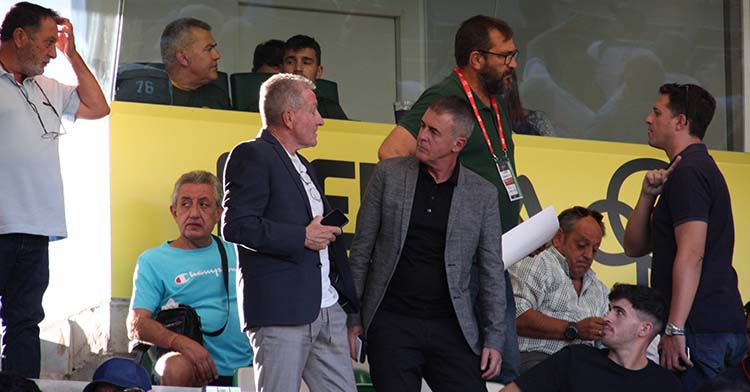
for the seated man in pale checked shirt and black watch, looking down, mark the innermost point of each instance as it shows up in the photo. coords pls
(559, 300)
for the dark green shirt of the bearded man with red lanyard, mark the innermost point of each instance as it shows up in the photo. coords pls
(475, 155)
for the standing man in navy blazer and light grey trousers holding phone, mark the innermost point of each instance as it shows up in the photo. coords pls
(294, 277)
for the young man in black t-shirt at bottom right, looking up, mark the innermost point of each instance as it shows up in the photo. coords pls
(636, 315)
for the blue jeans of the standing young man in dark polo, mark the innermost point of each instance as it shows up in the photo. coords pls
(711, 353)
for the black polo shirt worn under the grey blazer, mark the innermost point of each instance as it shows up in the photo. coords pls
(419, 286)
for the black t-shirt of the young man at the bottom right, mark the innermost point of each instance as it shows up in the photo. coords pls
(582, 368)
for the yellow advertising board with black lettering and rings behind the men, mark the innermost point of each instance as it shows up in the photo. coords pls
(152, 145)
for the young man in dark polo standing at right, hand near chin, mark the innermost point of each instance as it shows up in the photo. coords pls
(690, 231)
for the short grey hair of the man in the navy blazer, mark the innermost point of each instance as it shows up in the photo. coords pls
(282, 92)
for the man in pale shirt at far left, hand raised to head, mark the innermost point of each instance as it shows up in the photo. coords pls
(32, 211)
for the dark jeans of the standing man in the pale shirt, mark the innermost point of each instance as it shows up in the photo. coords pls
(24, 275)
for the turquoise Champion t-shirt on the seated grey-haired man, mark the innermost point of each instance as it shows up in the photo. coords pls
(193, 277)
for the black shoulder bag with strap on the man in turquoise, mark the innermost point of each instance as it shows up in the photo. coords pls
(184, 320)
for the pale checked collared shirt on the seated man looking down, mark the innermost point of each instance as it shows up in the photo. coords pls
(543, 284)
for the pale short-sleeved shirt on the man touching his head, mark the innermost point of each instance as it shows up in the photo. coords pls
(33, 201)
